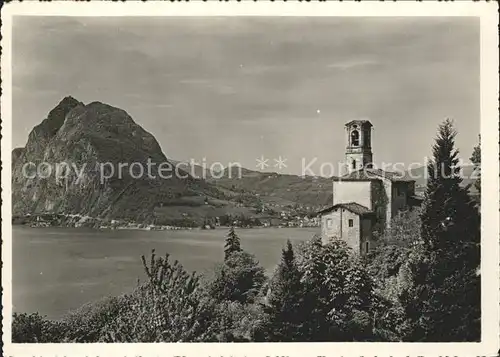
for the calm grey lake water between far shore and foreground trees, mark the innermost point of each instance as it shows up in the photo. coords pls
(59, 269)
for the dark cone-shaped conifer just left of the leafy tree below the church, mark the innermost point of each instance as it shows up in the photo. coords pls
(285, 311)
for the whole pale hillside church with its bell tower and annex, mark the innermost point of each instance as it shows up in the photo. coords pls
(365, 199)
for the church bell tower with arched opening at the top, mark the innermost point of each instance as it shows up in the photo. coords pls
(358, 151)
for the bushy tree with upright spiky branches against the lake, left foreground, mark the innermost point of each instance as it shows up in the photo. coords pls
(169, 307)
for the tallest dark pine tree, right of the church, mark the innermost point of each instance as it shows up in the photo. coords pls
(444, 302)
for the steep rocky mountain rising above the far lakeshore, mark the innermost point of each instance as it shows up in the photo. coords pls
(91, 148)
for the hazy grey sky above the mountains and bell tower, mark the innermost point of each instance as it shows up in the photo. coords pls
(222, 89)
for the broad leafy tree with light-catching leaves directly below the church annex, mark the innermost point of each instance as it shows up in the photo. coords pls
(339, 292)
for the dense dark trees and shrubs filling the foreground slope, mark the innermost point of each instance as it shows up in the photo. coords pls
(421, 283)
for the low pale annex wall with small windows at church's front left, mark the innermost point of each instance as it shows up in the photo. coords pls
(339, 228)
